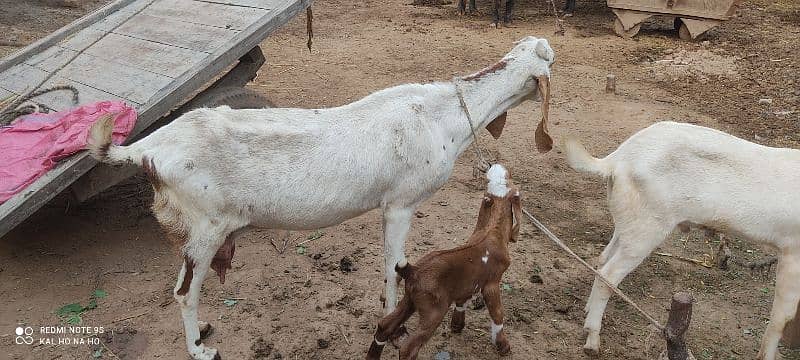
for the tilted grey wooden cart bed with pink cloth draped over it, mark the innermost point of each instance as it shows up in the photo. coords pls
(153, 54)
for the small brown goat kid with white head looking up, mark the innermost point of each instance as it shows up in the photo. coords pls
(455, 276)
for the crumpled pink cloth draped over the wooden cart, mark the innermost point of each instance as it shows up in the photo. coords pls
(35, 143)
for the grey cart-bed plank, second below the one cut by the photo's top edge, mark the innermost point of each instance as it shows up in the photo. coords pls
(146, 55)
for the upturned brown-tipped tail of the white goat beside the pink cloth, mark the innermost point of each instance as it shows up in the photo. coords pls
(100, 147)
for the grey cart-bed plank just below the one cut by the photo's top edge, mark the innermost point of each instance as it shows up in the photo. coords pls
(176, 33)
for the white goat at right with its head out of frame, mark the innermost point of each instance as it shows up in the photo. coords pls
(672, 175)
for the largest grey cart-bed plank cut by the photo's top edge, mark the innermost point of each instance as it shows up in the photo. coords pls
(206, 13)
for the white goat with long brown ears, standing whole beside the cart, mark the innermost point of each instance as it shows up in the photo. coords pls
(216, 171)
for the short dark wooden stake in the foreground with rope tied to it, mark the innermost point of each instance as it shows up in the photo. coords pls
(680, 316)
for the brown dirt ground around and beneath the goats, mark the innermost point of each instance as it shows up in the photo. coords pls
(322, 302)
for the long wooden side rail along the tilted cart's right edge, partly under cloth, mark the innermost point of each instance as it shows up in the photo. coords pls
(18, 208)
